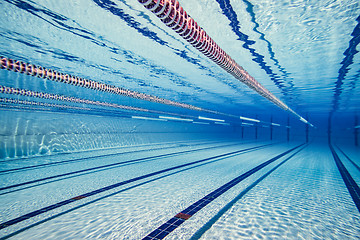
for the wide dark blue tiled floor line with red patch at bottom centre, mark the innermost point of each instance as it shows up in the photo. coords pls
(166, 228)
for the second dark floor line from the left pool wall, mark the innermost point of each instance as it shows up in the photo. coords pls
(110, 166)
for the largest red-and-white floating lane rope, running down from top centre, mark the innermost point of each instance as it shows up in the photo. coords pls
(175, 17)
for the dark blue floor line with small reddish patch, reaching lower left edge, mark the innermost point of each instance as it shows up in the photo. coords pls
(80, 197)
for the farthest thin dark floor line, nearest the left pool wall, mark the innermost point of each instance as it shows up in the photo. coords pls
(94, 157)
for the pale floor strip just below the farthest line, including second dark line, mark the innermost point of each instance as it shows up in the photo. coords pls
(29, 178)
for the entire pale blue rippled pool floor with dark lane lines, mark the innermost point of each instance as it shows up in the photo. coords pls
(241, 190)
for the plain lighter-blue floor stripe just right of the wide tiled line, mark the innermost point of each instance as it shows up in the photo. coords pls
(198, 234)
